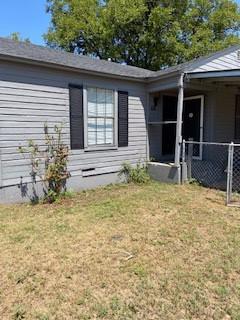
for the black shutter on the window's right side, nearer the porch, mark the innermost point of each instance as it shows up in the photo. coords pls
(122, 118)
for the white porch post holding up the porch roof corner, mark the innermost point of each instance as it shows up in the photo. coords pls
(179, 122)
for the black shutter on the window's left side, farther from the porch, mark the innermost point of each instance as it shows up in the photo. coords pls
(76, 117)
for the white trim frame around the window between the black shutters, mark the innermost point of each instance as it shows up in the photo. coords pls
(99, 147)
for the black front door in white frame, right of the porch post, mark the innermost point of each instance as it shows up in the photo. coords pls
(193, 122)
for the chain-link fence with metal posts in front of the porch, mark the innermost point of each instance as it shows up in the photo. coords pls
(213, 165)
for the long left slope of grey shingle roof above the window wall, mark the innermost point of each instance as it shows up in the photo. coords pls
(28, 51)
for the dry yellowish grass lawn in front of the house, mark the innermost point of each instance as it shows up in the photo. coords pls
(122, 252)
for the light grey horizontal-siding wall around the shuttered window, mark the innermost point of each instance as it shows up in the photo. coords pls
(30, 96)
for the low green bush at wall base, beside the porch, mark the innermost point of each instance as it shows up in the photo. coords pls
(137, 174)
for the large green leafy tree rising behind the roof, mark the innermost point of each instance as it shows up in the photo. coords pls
(147, 33)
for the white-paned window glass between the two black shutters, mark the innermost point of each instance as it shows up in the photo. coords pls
(100, 117)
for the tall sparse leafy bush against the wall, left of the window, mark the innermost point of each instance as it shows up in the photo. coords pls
(49, 163)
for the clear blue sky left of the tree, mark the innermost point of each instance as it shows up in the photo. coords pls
(28, 17)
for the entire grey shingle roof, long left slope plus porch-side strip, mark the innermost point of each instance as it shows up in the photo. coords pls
(39, 54)
